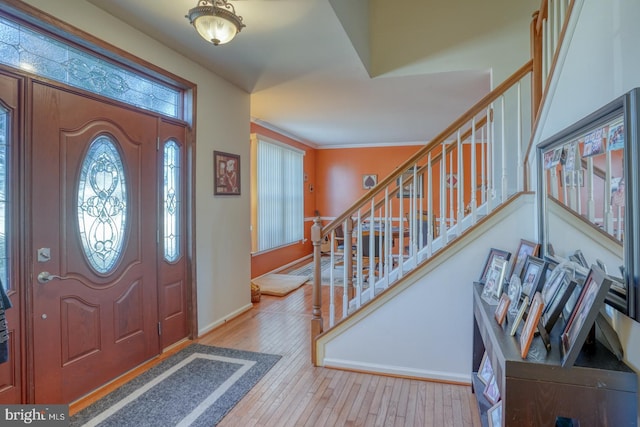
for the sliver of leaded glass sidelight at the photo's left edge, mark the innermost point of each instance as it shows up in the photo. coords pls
(4, 199)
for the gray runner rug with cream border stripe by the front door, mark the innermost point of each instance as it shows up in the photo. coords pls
(195, 387)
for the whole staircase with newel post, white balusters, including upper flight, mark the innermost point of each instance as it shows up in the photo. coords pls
(439, 196)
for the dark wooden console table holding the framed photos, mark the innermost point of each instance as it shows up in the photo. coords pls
(599, 390)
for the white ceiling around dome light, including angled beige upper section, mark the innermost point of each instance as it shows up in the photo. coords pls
(355, 73)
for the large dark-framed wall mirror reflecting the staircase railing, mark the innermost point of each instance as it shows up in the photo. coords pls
(590, 169)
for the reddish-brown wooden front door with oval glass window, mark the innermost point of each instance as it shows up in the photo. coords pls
(94, 232)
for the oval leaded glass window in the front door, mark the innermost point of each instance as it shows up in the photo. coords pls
(102, 204)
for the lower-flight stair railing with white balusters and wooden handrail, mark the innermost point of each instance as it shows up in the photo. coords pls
(430, 200)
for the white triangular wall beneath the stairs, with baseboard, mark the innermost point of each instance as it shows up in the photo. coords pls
(422, 326)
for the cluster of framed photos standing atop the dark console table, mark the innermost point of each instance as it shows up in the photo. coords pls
(551, 289)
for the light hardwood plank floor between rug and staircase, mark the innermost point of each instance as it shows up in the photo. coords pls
(295, 393)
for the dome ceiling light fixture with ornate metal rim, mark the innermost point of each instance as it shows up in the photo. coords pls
(215, 20)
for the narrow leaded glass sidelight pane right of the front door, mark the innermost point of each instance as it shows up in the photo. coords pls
(171, 202)
